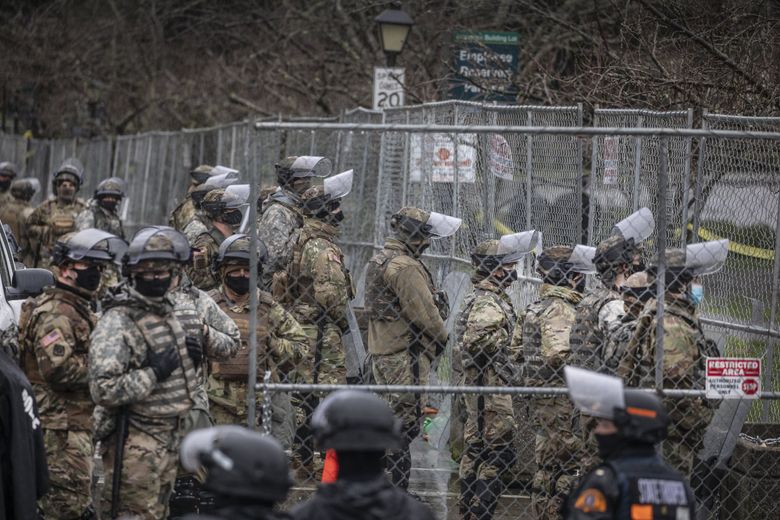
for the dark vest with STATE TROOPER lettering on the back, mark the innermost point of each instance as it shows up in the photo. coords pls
(651, 489)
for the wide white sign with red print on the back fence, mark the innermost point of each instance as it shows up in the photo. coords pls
(435, 153)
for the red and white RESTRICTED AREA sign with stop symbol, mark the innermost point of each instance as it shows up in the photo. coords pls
(733, 378)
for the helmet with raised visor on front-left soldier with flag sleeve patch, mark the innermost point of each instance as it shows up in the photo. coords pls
(88, 245)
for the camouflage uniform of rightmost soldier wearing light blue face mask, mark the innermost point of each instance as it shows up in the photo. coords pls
(685, 349)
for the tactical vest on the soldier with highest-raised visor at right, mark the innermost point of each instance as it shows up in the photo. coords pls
(587, 339)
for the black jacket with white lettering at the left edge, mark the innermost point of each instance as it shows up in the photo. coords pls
(24, 474)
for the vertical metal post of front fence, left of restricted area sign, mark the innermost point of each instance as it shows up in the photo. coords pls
(660, 282)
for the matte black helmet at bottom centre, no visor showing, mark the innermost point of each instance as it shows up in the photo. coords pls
(355, 420)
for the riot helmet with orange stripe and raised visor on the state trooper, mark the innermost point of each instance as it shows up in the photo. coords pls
(638, 415)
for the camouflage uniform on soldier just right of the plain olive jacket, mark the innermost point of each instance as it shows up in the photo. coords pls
(485, 331)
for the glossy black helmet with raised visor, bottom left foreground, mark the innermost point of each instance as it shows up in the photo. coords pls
(239, 463)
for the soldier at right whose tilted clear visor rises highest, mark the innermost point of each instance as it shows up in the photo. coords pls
(600, 311)
